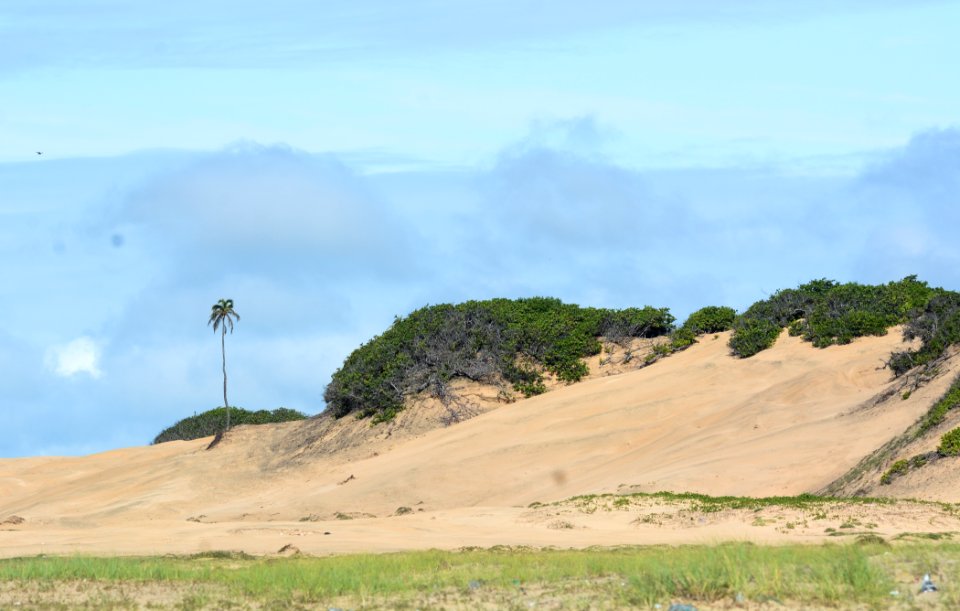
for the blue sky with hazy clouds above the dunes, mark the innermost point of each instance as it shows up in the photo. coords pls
(330, 166)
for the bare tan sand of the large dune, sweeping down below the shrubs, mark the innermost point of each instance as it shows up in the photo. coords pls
(786, 421)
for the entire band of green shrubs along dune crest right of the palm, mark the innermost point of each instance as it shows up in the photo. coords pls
(517, 341)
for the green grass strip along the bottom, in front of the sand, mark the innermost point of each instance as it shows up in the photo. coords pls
(862, 574)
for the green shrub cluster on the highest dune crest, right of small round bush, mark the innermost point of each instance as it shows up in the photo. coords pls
(825, 312)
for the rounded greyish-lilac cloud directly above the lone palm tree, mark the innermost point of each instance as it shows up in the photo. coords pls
(265, 208)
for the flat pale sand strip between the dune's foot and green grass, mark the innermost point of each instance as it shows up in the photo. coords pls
(571, 524)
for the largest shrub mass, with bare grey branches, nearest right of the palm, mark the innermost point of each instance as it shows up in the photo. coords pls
(483, 341)
